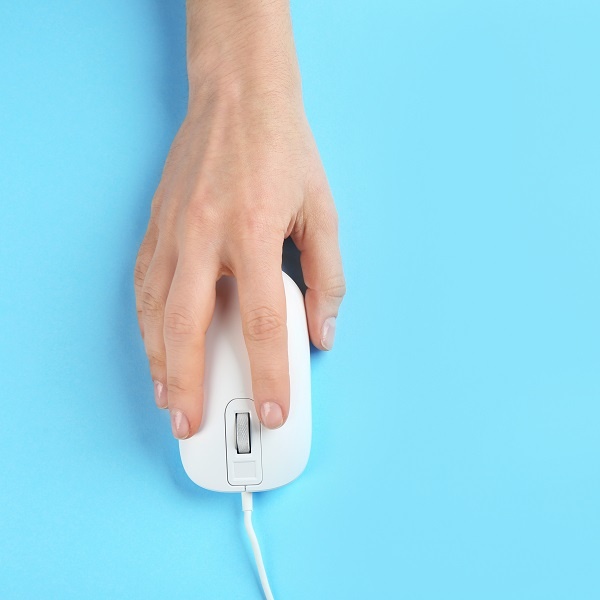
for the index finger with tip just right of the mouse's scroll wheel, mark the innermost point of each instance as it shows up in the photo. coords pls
(262, 306)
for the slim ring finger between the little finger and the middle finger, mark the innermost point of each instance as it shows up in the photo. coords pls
(153, 300)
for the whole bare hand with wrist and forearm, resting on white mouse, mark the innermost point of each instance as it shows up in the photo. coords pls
(242, 175)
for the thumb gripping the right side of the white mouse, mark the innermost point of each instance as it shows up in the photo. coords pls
(322, 269)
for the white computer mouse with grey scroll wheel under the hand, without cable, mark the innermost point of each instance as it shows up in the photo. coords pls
(232, 451)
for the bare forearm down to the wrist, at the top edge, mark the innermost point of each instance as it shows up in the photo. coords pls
(240, 43)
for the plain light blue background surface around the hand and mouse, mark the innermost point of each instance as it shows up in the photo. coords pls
(456, 425)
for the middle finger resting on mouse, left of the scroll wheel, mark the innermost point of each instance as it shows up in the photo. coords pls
(188, 312)
